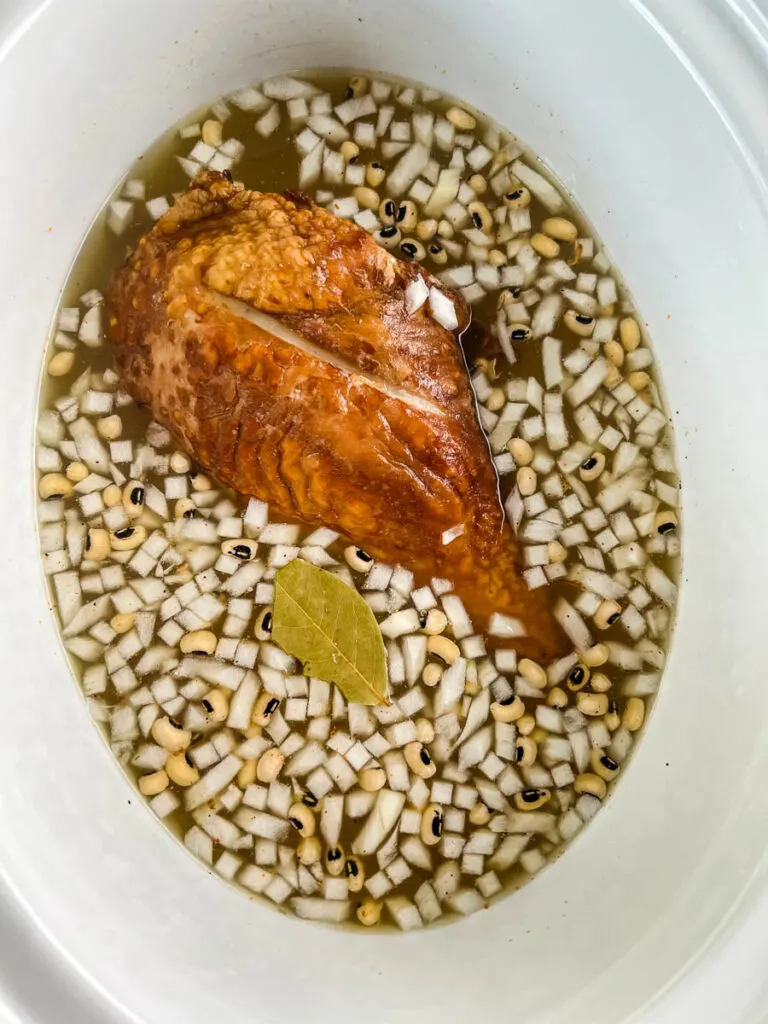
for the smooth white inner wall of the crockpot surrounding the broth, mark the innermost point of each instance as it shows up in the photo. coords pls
(596, 92)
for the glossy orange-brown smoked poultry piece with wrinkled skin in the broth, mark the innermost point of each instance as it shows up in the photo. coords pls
(318, 443)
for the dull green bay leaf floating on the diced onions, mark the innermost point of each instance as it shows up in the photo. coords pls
(329, 627)
